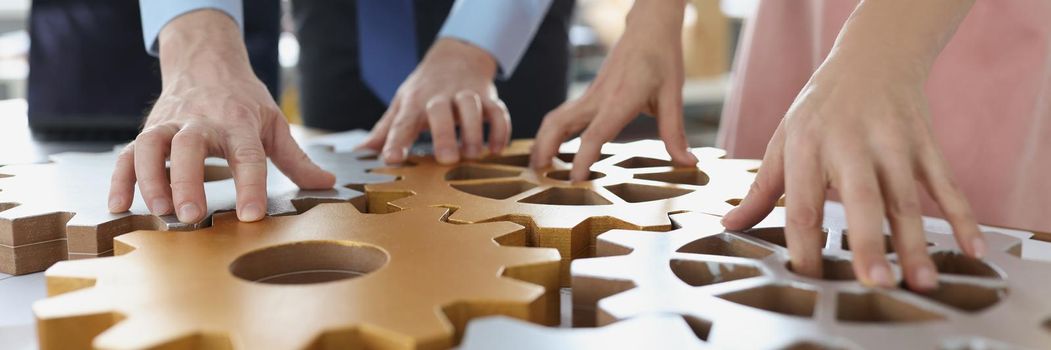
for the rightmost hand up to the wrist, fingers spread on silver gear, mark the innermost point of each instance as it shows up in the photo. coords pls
(868, 137)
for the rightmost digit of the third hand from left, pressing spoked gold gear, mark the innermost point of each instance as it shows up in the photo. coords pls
(671, 129)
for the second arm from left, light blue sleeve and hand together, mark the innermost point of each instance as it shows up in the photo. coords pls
(454, 86)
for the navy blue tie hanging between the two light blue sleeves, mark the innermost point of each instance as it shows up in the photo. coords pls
(387, 45)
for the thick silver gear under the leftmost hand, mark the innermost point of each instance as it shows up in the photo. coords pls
(49, 212)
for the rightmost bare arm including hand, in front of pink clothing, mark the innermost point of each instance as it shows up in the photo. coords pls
(861, 127)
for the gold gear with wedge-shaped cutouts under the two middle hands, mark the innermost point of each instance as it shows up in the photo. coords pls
(634, 187)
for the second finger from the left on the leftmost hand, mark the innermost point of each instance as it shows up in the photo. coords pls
(152, 152)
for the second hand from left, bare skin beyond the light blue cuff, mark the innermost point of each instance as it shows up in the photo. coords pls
(454, 86)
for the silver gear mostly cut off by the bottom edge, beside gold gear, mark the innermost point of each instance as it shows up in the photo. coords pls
(645, 333)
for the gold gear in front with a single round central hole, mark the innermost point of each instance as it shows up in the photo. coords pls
(332, 278)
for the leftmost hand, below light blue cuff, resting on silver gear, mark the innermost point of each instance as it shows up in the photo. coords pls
(212, 105)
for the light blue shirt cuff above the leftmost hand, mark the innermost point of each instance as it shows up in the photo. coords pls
(157, 14)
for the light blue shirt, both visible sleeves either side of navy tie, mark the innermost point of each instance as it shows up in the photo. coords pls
(502, 28)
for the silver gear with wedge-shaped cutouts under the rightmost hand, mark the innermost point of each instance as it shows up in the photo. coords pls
(740, 283)
